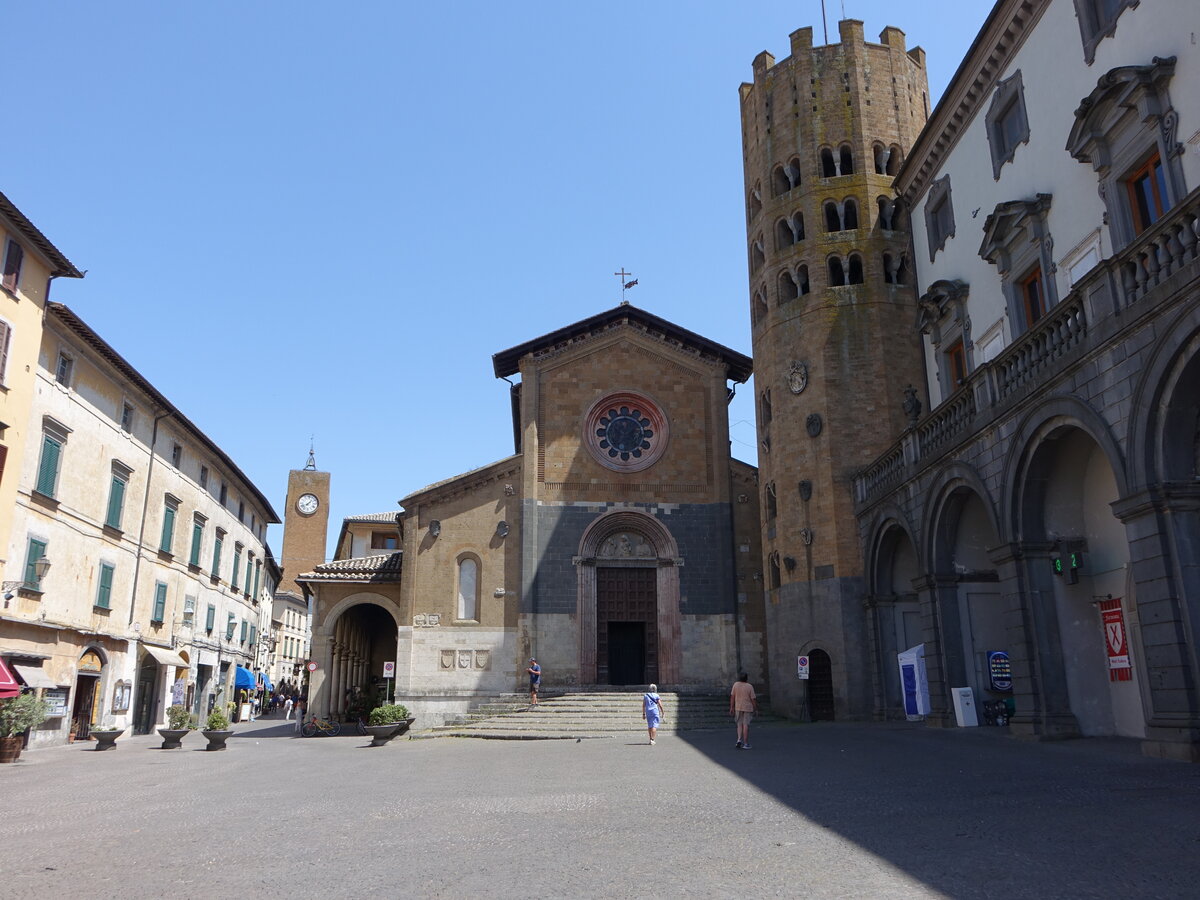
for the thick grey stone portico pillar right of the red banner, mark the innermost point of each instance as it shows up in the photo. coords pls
(1163, 532)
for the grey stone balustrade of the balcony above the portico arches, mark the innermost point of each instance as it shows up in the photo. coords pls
(1108, 304)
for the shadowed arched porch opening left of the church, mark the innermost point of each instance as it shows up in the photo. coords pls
(356, 638)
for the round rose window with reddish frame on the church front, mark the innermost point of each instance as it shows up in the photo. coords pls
(626, 431)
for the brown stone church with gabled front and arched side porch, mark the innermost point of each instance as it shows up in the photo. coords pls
(619, 544)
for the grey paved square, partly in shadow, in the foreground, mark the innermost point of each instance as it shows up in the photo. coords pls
(820, 811)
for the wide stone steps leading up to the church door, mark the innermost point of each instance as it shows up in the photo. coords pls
(586, 716)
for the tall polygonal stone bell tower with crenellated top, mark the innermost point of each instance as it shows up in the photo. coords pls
(833, 314)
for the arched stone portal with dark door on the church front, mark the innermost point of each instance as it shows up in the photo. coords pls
(632, 554)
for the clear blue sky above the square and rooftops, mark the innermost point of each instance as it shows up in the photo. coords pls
(325, 219)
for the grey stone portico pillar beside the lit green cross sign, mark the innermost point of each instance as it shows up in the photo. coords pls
(1040, 671)
